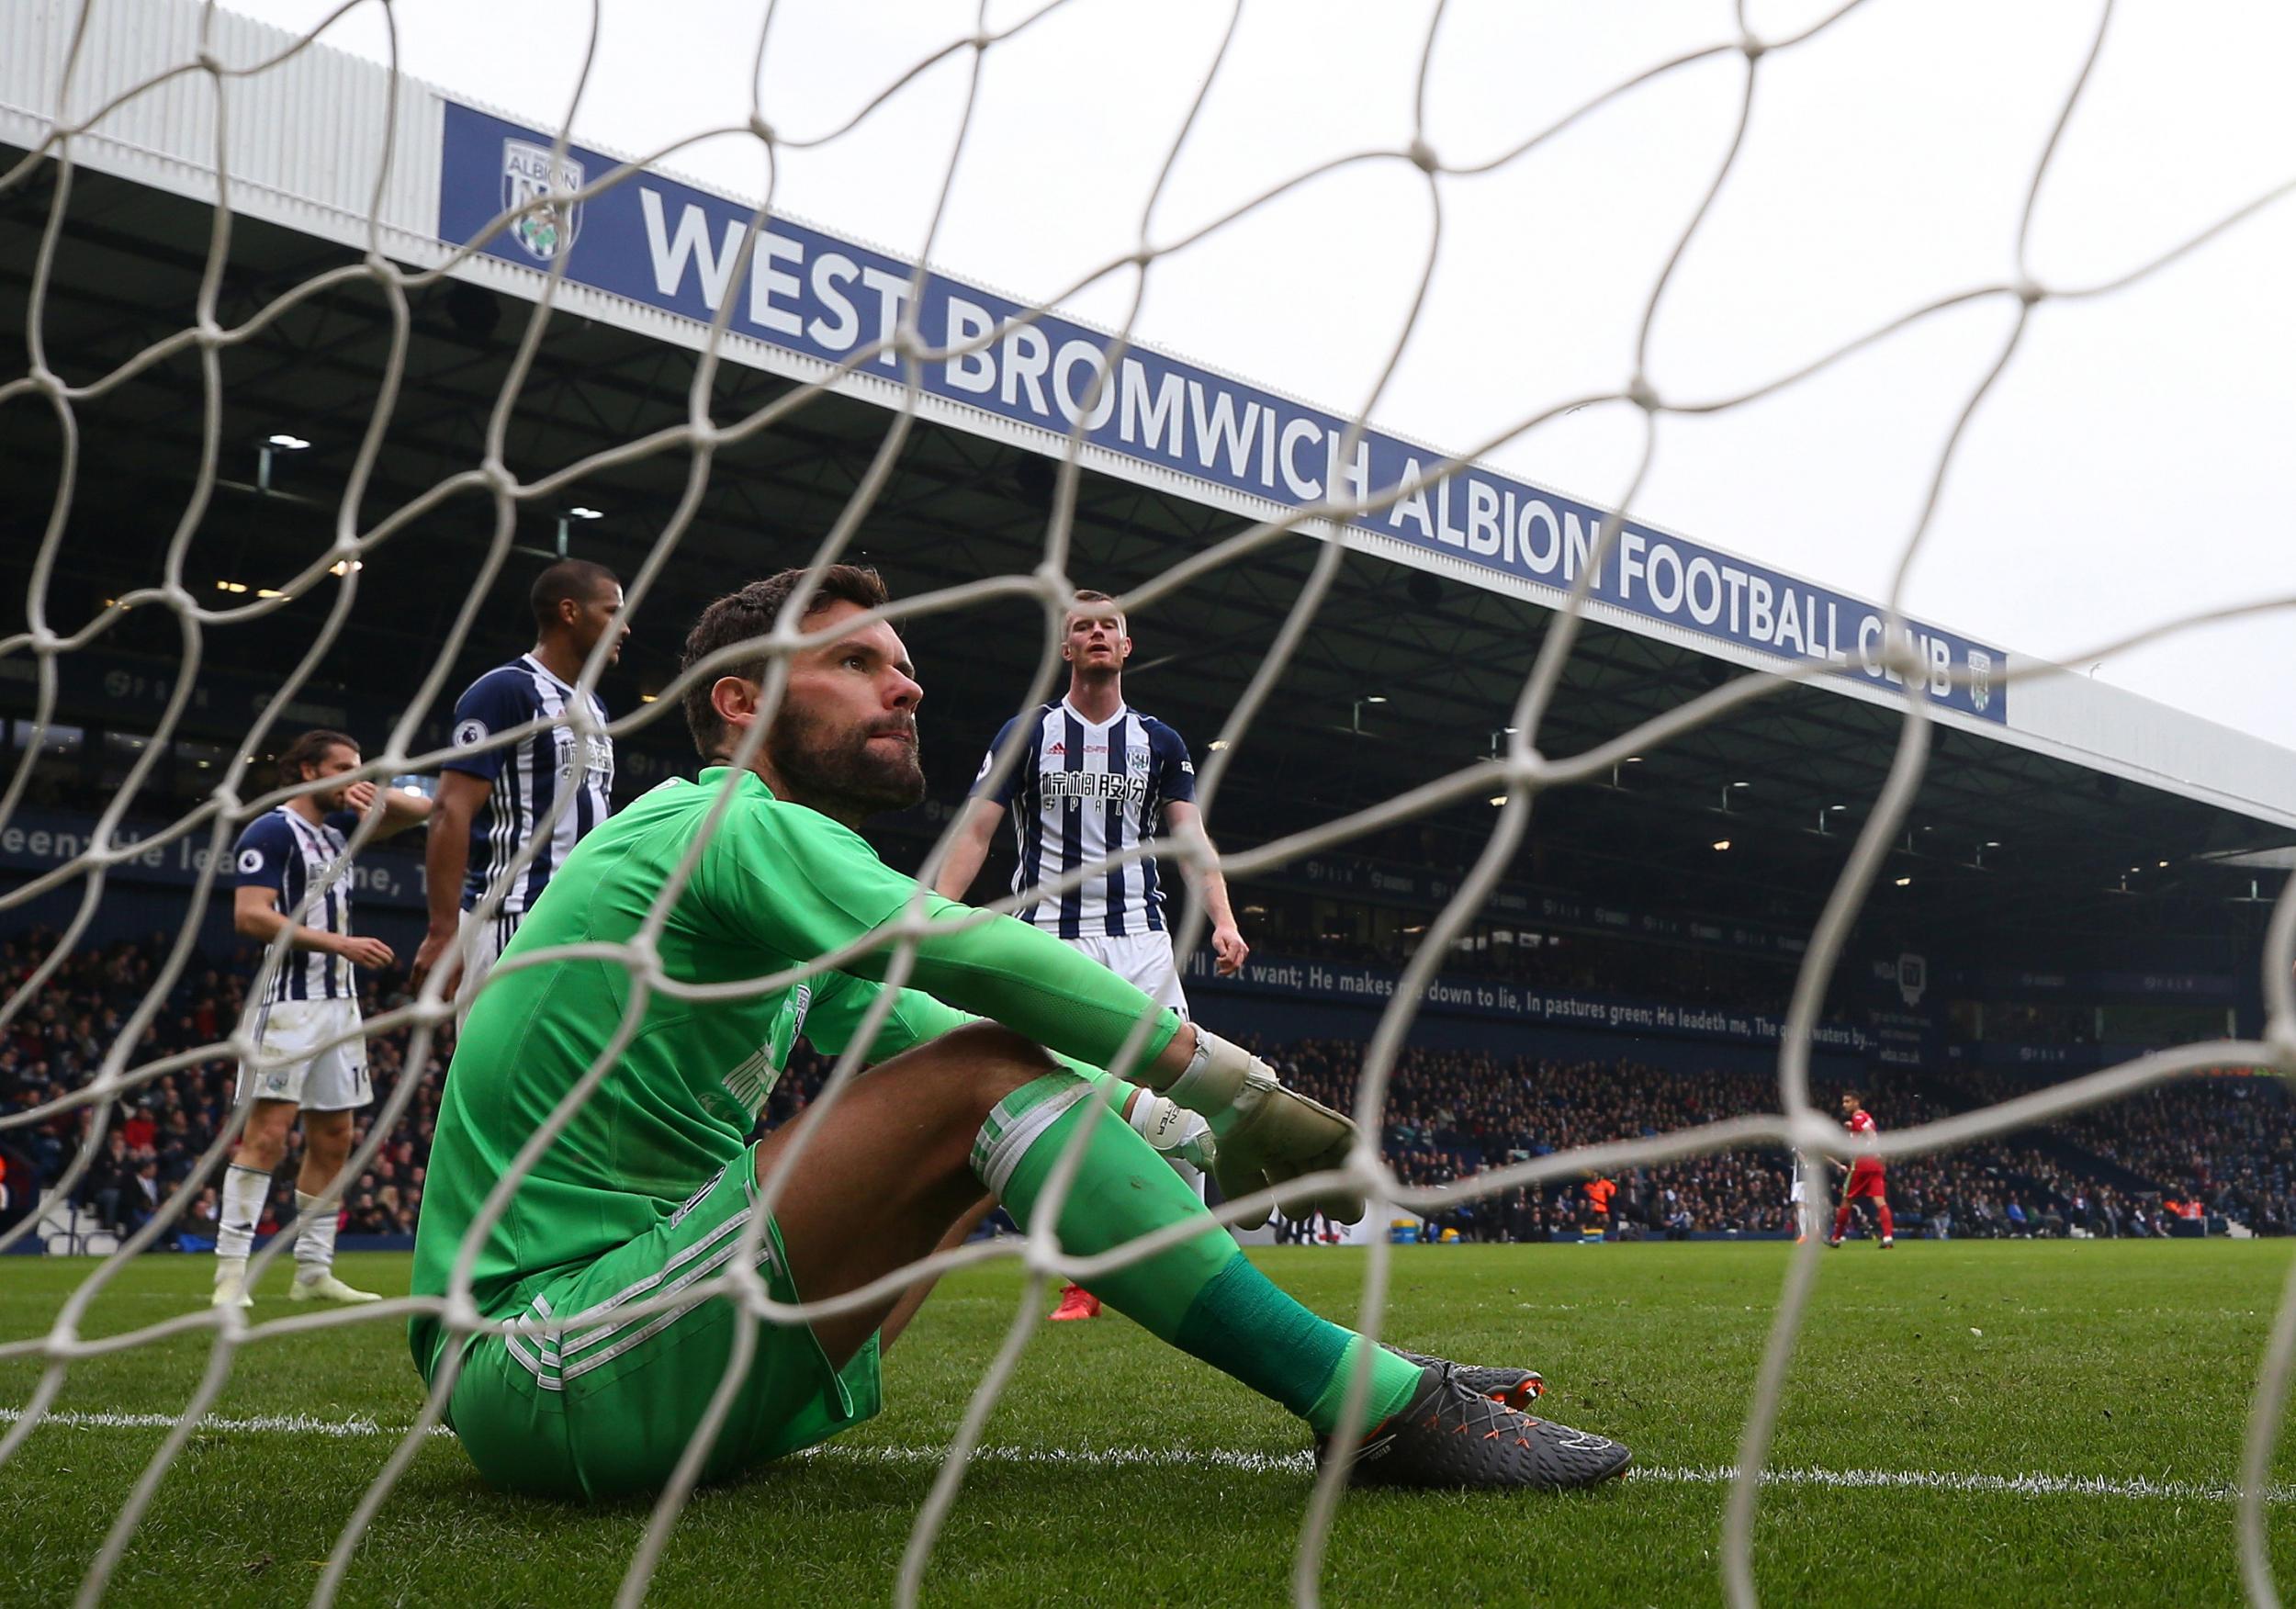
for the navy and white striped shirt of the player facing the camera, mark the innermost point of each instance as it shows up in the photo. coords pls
(1080, 795)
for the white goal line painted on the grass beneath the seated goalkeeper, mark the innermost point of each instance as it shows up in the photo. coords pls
(2136, 1488)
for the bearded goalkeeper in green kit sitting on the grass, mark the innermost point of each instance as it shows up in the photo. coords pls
(975, 1089)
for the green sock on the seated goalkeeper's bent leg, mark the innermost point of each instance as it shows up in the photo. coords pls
(1202, 1296)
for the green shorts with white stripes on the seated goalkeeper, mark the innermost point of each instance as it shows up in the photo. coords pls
(607, 1406)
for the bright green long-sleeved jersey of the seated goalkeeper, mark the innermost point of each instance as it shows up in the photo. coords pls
(775, 887)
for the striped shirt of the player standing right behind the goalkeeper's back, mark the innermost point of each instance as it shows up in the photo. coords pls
(527, 777)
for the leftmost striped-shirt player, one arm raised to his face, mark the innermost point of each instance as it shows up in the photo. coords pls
(290, 878)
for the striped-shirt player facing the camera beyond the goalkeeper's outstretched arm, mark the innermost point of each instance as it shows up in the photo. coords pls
(1096, 779)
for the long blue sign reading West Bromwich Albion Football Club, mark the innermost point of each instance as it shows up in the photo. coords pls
(672, 247)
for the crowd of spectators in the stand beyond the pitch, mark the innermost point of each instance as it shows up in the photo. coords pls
(2214, 1146)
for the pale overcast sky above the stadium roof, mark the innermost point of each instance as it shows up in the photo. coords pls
(2134, 463)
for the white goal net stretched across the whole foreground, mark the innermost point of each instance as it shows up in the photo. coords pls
(93, 86)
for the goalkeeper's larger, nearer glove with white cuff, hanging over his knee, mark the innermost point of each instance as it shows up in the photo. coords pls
(1266, 1135)
